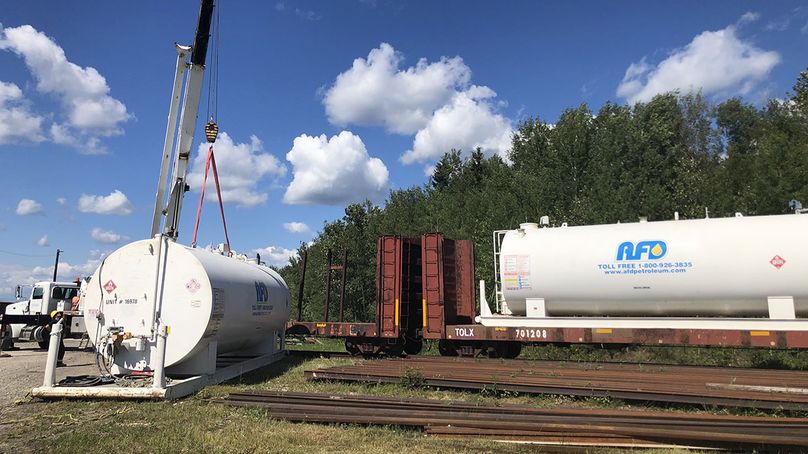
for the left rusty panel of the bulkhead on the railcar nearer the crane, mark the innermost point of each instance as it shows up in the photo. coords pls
(388, 285)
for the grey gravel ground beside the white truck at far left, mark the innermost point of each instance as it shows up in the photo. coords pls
(24, 368)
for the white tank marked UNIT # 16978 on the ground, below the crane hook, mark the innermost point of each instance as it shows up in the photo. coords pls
(208, 299)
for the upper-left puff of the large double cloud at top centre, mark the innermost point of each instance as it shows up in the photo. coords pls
(375, 92)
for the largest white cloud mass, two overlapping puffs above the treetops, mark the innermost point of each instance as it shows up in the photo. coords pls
(435, 101)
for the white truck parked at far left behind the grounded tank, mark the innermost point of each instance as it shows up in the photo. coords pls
(28, 320)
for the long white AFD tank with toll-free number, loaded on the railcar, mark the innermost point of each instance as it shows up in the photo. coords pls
(701, 267)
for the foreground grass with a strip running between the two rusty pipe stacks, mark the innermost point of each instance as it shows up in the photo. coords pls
(196, 424)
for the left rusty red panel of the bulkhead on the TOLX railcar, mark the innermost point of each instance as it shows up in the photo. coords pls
(433, 287)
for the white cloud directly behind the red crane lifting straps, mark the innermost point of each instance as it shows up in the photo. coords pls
(241, 166)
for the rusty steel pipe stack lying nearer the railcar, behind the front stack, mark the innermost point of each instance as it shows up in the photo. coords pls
(733, 387)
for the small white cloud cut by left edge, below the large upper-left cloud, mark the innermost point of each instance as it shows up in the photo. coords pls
(17, 123)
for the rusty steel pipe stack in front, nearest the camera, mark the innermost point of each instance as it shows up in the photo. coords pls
(567, 427)
